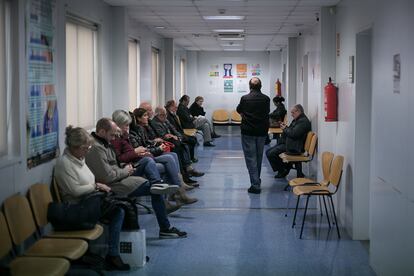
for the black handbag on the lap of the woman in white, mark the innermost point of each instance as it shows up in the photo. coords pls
(76, 216)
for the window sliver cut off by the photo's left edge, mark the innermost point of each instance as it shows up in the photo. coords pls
(4, 69)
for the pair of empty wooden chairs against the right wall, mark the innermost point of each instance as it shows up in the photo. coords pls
(327, 187)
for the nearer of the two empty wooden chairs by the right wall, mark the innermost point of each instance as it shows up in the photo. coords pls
(321, 190)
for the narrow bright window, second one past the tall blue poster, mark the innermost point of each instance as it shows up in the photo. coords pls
(133, 74)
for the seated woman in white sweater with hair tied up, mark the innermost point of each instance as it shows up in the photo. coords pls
(75, 181)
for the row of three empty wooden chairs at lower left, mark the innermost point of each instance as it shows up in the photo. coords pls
(25, 218)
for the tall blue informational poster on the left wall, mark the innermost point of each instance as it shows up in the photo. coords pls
(42, 112)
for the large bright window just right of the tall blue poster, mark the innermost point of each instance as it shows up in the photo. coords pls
(81, 73)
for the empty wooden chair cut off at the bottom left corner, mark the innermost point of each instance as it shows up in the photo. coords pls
(22, 266)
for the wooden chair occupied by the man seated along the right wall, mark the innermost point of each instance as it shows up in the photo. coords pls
(307, 156)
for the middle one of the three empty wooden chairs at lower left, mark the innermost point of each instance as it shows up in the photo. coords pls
(22, 226)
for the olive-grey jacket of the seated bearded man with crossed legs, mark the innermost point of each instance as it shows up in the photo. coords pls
(101, 160)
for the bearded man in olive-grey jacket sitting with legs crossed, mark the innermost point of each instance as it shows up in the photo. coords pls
(101, 159)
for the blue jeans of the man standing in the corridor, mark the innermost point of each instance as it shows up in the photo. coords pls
(253, 154)
